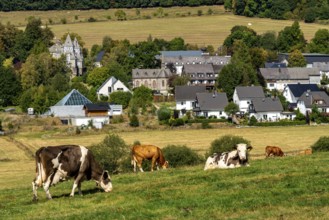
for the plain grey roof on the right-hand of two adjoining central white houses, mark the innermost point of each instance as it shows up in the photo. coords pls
(212, 101)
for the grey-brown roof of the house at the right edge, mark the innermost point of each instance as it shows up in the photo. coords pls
(310, 98)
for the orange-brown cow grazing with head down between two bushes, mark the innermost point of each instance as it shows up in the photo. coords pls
(150, 152)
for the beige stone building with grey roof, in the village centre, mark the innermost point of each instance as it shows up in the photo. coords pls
(155, 79)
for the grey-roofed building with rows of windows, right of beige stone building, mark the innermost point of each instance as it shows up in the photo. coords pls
(200, 74)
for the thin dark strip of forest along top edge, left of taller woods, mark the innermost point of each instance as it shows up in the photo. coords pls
(24, 5)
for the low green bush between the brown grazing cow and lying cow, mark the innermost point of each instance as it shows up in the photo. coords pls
(178, 155)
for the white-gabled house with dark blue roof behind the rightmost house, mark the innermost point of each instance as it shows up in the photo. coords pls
(292, 92)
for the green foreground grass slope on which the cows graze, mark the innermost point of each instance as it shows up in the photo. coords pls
(281, 188)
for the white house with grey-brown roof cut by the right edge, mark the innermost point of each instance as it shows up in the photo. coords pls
(309, 99)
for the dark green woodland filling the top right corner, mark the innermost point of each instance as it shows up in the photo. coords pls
(281, 9)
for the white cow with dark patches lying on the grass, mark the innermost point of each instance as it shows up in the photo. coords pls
(232, 159)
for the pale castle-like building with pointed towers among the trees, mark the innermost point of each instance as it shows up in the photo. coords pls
(72, 52)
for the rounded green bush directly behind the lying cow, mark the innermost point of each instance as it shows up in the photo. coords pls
(225, 144)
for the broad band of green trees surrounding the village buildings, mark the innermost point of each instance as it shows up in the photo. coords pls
(30, 77)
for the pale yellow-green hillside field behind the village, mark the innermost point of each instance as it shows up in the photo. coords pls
(200, 30)
